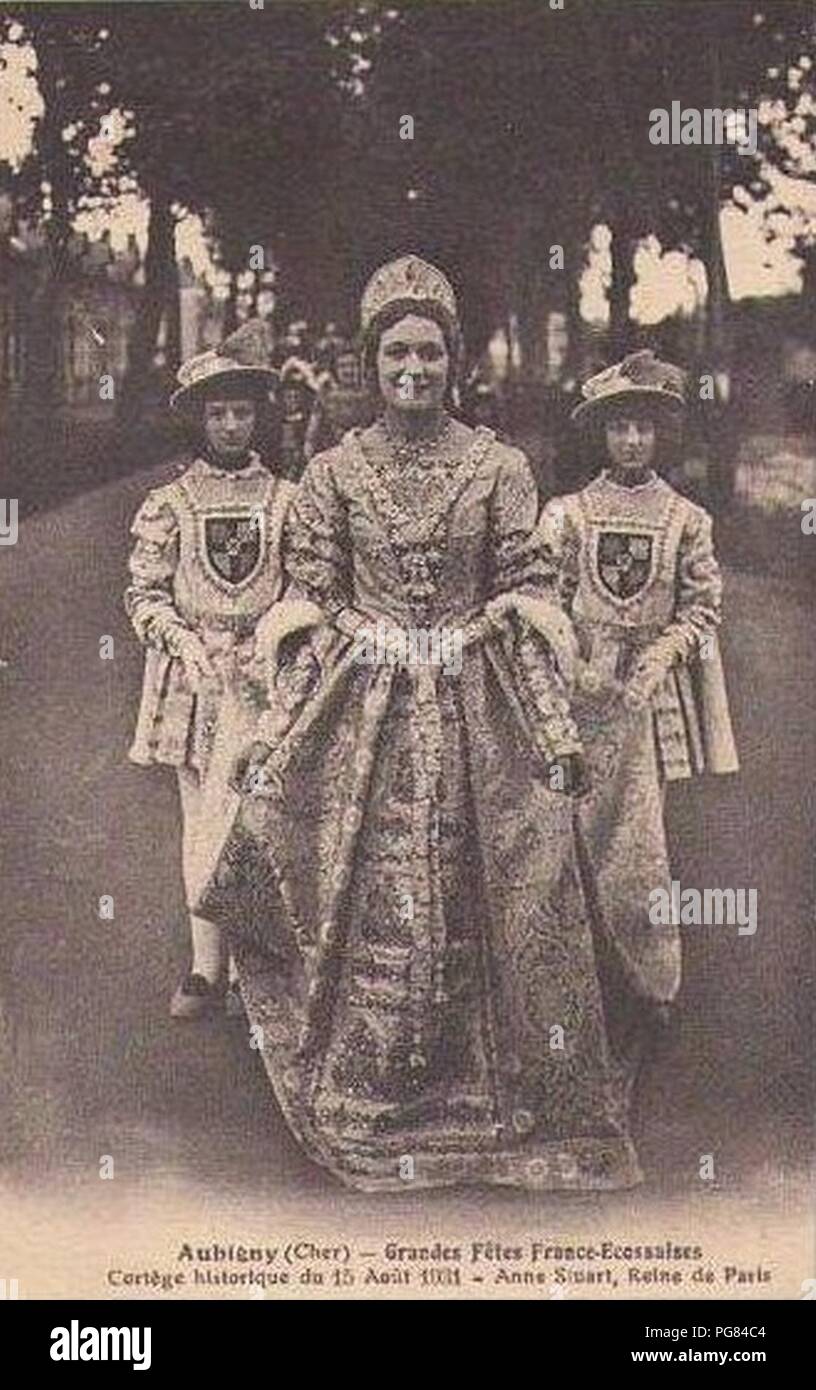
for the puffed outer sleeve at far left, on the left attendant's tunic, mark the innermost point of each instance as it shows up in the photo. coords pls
(152, 565)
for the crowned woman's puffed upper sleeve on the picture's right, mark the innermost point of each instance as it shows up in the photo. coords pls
(523, 561)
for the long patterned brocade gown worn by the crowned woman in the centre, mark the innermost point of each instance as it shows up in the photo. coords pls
(402, 886)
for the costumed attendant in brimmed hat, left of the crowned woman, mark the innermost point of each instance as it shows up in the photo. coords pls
(205, 568)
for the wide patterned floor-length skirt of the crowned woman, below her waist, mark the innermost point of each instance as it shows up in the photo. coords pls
(423, 960)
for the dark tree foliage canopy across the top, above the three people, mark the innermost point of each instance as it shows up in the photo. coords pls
(286, 127)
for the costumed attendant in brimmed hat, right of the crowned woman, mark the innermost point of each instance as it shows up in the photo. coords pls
(643, 586)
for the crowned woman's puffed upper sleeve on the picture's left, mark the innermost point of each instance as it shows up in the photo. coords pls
(316, 546)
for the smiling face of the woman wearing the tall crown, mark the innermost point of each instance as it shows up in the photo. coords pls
(414, 365)
